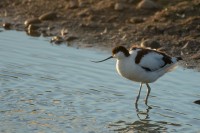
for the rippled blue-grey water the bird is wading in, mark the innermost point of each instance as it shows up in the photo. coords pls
(46, 88)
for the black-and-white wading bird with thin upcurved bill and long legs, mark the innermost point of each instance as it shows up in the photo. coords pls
(142, 65)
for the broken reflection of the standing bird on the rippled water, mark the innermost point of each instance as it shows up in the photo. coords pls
(145, 122)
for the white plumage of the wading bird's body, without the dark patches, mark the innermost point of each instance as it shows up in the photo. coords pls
(127, 67)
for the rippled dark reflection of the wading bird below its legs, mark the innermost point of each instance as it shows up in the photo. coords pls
(144, 124)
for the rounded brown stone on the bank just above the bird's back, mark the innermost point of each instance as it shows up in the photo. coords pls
(150, 43)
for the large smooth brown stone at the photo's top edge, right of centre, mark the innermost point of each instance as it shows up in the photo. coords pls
(148, 4)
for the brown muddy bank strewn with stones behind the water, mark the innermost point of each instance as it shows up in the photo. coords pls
(172, 27)
